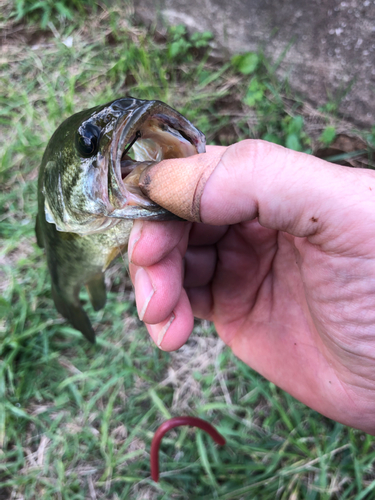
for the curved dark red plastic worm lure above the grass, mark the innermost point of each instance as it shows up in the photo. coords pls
(176, 422)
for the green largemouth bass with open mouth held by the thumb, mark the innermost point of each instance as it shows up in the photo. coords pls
(88, 192)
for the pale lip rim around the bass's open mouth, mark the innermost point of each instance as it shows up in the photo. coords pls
(126, 126)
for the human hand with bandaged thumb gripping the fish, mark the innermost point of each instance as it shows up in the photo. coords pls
(283, 264)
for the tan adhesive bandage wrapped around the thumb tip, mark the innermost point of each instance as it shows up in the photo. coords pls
(178, 184)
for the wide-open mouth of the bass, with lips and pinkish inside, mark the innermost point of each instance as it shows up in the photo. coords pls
(149, 134)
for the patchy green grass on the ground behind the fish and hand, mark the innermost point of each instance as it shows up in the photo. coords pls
(76, 421)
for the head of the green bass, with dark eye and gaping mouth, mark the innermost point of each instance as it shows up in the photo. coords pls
(91, 166)
